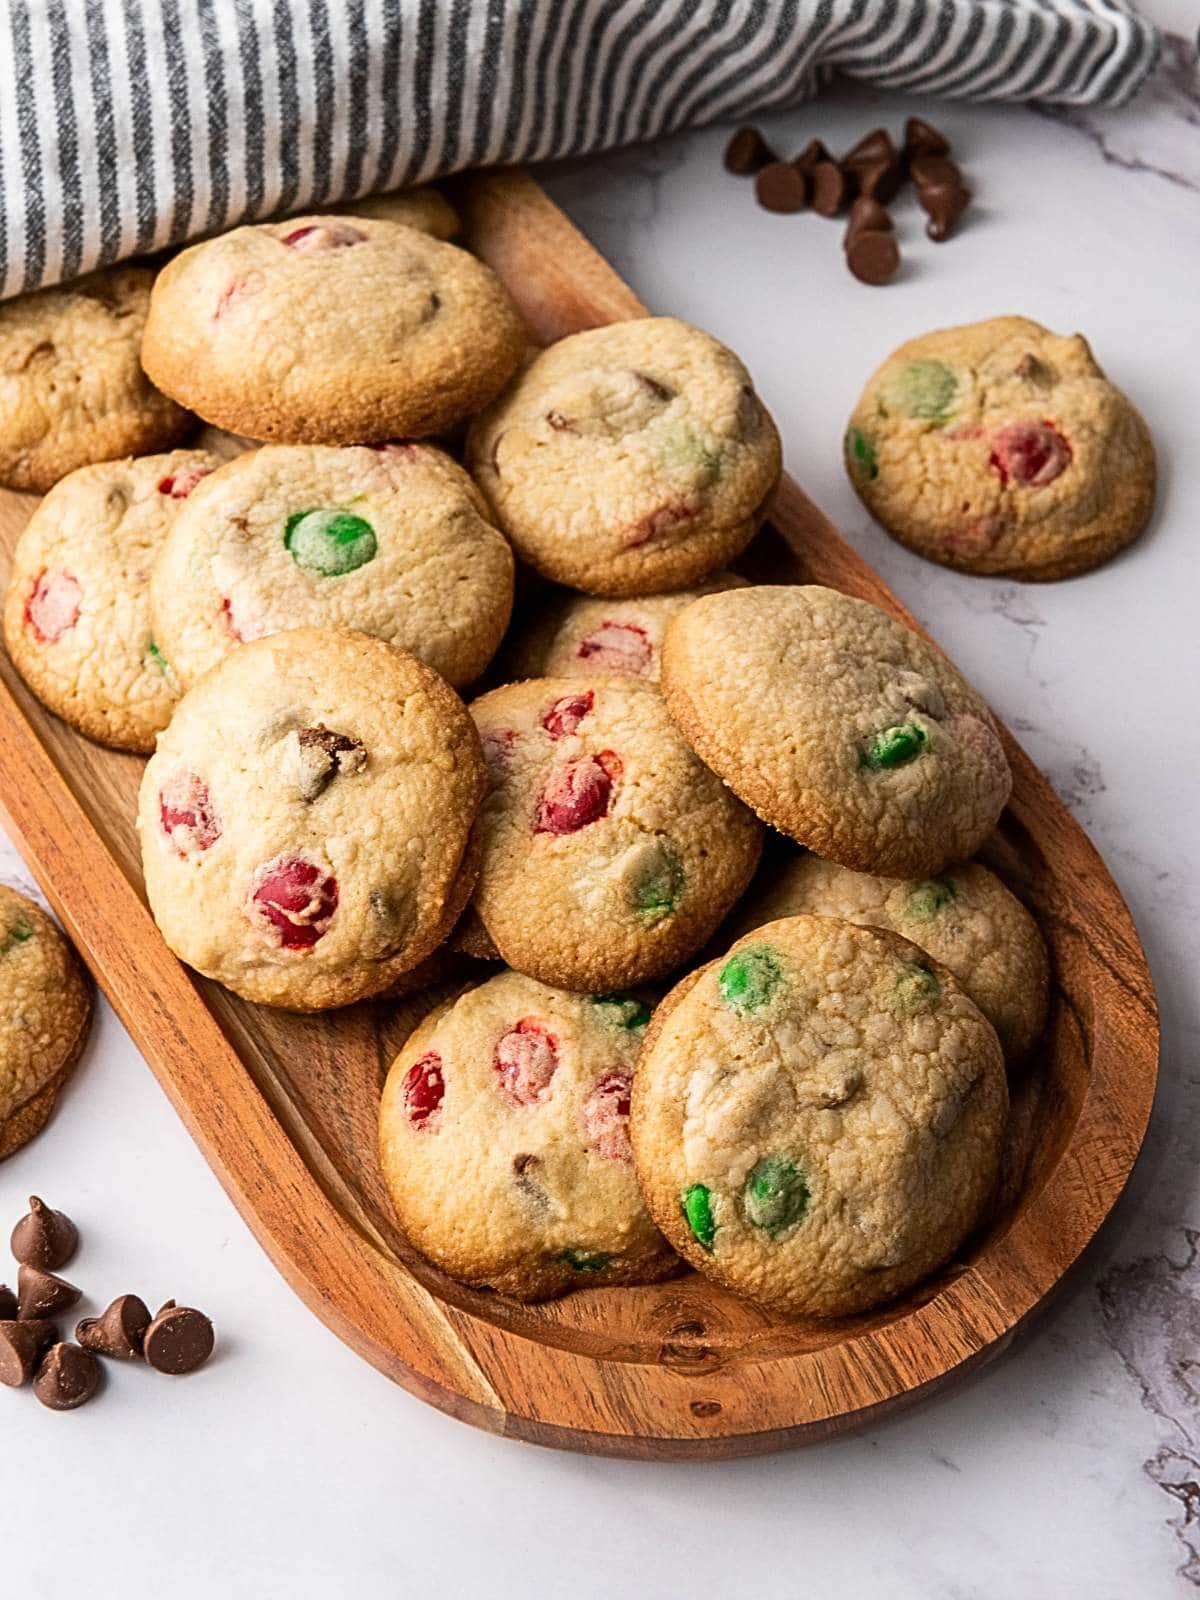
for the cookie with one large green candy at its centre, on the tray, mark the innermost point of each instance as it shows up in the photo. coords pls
(391, 540)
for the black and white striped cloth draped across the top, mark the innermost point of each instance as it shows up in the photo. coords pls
(127, 126)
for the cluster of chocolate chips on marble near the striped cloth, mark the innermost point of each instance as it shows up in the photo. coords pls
(865, 182)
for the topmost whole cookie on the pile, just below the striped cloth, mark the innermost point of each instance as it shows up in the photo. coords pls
(330, 330)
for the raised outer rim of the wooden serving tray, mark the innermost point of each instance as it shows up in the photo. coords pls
(446, 1354)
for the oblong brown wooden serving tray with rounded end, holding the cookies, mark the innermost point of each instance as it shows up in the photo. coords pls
(286, 1106)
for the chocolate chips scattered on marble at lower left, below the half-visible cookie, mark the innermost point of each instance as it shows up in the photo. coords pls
(66, 1375)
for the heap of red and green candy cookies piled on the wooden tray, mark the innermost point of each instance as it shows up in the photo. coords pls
(794, 1081)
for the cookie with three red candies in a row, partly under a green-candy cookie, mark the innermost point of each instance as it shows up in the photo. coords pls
(505, 1142)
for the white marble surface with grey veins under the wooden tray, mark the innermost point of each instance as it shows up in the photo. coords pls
(1073, 1466)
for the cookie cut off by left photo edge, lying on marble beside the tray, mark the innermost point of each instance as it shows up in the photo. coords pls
(46, 1010)
